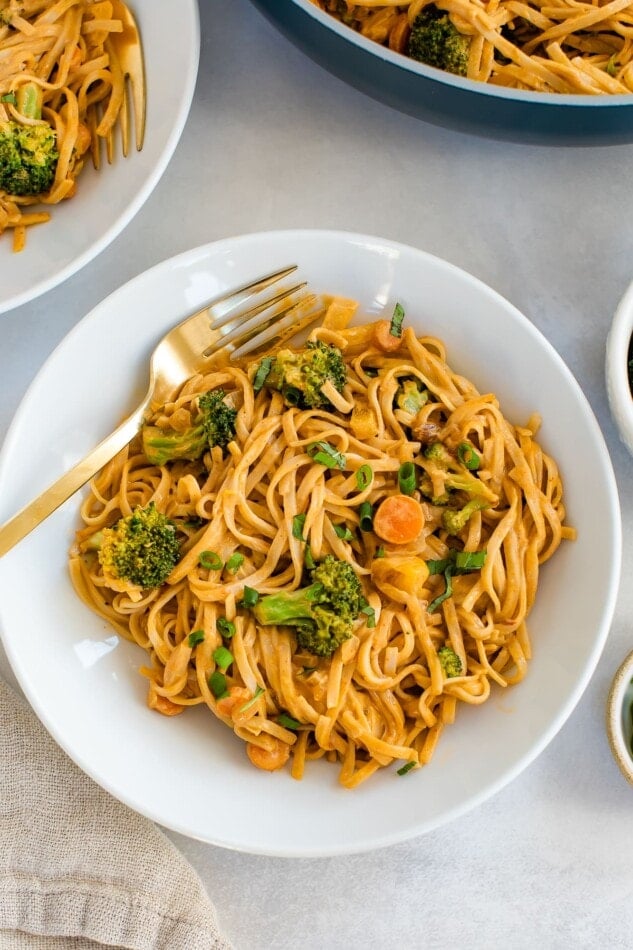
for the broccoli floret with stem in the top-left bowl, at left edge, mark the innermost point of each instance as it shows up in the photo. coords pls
(28, 154)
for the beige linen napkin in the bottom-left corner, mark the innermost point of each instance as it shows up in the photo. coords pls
(79, 870)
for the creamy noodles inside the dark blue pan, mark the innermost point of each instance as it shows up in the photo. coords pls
(565, 46)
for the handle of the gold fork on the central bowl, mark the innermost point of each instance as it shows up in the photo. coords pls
(56, 494)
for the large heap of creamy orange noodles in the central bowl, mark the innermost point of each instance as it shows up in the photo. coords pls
(385, 694)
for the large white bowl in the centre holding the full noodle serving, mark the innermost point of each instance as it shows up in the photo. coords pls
(189, 773)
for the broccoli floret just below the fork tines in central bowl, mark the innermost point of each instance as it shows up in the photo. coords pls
(301, 374)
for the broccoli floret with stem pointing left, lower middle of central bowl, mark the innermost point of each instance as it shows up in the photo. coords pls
(322, 614)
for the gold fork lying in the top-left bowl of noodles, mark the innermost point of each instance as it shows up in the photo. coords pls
(126, 53)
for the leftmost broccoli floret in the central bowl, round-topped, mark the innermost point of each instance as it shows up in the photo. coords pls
(141, 548)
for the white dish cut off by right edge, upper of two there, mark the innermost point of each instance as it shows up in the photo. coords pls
(617, 368)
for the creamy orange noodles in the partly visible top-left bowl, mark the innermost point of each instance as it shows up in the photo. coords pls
(64, 48)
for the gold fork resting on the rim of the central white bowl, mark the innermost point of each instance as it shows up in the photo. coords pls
(242, 321)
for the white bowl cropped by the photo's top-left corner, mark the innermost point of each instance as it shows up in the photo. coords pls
(106, 201)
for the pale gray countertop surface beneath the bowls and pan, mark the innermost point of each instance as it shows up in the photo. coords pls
(273, 142)
